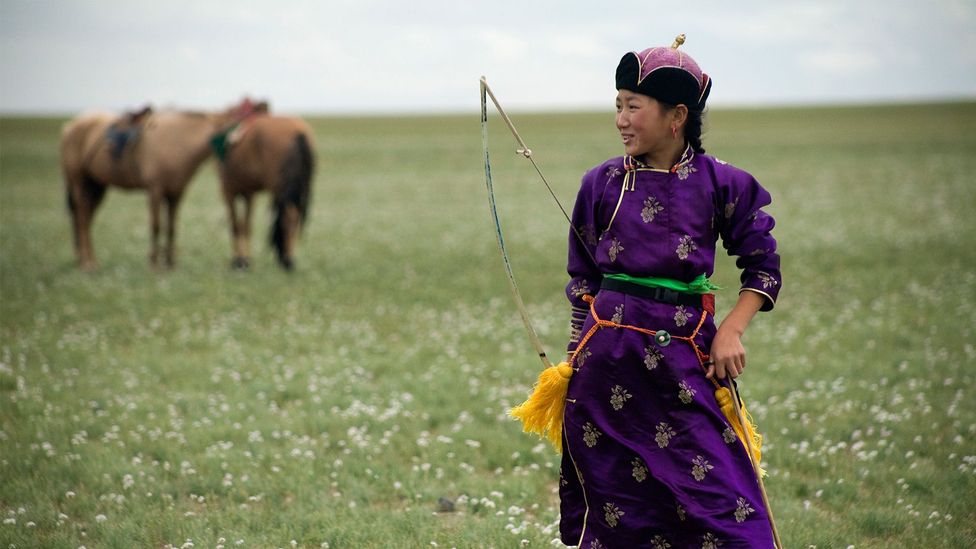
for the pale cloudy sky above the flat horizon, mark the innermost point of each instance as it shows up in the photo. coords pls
(426, 56)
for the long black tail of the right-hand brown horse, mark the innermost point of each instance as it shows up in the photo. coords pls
(294, 190)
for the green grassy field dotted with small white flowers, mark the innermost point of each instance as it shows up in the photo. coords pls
(360, 401)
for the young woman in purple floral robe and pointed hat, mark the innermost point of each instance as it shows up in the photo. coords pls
(649, 459)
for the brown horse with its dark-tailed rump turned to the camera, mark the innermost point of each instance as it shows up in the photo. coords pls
(275, 154)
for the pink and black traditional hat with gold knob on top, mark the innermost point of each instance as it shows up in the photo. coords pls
(665, 74)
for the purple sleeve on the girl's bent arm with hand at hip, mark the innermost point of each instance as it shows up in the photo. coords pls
(746, 233)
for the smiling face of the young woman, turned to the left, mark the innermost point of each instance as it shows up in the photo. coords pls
(645, 127)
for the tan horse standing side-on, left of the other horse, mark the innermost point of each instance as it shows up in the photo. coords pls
(160, 159)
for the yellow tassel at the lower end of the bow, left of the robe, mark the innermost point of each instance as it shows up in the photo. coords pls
(542, 412)
